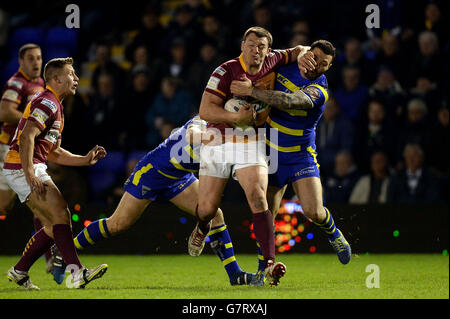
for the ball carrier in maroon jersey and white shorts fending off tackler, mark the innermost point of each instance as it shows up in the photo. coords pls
(242, 158)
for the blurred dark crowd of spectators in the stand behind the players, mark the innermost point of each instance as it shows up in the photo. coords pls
(383, 137)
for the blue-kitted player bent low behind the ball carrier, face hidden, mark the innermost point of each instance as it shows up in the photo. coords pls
(167, 174)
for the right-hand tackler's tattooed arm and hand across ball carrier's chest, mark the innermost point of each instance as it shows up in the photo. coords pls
(297, 100)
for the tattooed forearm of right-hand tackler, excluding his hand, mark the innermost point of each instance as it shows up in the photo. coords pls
(297, 100)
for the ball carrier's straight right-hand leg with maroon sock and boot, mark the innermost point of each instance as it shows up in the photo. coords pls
(254, 181)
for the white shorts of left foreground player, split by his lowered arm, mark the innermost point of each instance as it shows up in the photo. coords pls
(18, 183)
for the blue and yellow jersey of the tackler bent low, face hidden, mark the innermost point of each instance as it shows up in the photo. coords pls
(175, 157)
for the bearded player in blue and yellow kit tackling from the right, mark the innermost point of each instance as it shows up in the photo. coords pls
(297, 104)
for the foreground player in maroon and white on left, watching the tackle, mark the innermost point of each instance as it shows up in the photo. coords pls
(36, 140)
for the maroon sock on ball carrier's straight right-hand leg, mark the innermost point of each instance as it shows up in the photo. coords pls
(263, 230)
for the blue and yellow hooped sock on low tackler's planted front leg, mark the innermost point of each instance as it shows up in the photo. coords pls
(220, 243)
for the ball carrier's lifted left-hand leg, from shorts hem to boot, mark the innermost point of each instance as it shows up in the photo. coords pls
(209, 197)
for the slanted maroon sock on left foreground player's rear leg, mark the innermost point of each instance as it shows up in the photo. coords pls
(36, 246)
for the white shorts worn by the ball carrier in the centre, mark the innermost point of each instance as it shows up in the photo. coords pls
(223, 159)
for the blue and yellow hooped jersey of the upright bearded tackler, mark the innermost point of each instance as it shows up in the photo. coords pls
(296, 128)
